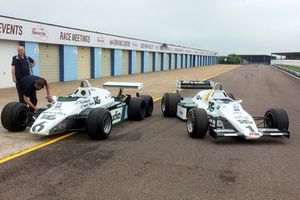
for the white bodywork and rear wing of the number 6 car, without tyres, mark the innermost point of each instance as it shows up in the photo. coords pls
(84, 97)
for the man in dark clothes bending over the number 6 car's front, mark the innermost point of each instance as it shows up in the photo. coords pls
(28, 87)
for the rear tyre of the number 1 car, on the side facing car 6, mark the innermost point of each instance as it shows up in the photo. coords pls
(169, 104)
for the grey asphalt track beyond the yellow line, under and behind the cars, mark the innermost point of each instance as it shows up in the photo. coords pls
(156, 159)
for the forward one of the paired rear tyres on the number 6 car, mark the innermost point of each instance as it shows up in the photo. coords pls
(137, 108)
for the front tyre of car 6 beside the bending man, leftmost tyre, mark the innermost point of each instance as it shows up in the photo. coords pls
(15, 116)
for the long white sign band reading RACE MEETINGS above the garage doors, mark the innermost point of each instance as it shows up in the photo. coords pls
(21, 30)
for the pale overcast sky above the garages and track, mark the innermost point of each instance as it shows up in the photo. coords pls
(225, 26)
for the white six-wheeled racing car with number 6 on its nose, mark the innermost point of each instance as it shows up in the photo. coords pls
(89, 109)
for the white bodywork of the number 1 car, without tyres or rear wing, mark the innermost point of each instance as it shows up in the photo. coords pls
(218, 104)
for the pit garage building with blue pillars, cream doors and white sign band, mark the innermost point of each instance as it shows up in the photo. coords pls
(69, 54)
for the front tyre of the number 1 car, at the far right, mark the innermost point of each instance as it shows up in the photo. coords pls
(277, 118)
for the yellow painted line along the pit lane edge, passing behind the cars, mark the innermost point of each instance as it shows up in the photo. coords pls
(39, 146)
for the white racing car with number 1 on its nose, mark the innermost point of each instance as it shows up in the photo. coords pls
(216, 110)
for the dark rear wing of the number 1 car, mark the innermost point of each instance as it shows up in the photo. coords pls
(194, 84)
